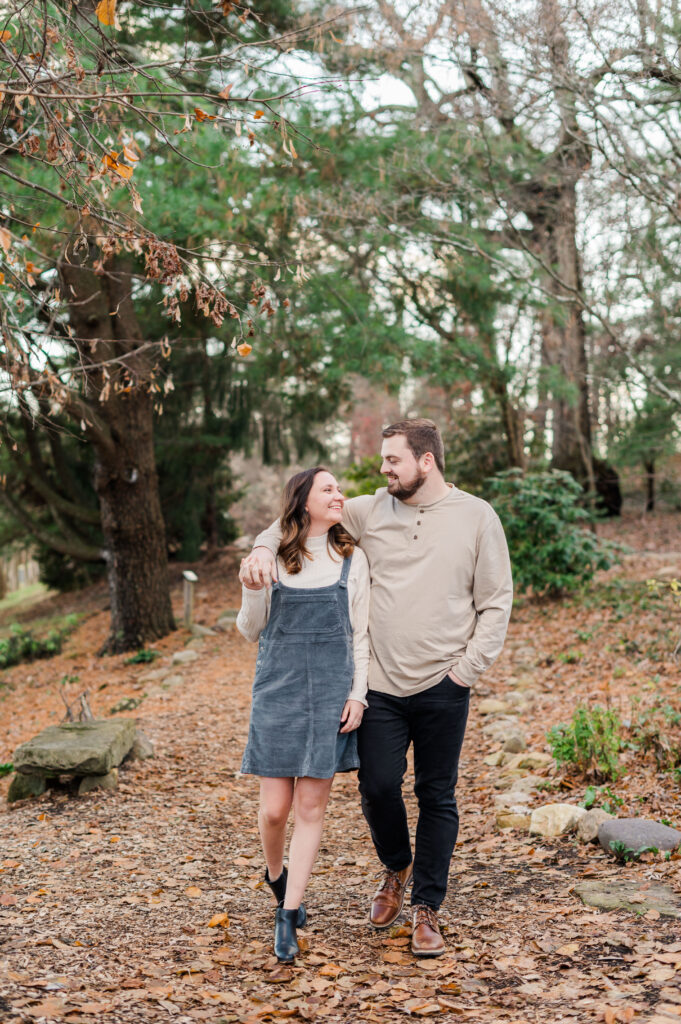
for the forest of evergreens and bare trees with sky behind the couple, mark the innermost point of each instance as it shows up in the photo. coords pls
(261, 232)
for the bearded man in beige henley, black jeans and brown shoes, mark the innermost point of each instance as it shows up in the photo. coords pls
(441, 601)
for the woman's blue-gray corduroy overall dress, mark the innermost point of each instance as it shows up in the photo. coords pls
(304, 677)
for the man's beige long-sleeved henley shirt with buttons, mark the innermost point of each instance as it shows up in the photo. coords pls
(441, 587)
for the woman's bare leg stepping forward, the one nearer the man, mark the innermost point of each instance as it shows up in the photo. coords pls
(310, 803)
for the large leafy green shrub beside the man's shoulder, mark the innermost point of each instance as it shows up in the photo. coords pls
(552, 549)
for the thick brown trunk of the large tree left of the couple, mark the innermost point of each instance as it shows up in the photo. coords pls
(118, 419)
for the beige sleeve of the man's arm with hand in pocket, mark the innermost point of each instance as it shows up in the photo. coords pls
(493, 598)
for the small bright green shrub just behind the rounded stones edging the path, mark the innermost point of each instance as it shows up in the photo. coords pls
(591, 742)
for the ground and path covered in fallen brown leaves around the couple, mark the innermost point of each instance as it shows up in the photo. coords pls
(106, 901)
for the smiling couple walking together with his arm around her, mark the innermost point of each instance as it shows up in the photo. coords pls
(375, 617)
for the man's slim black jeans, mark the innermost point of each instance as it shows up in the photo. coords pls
(435, 721)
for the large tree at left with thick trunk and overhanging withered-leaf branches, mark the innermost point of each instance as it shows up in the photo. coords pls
(84, 111)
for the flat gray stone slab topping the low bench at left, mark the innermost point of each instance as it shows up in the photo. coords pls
(77, 748)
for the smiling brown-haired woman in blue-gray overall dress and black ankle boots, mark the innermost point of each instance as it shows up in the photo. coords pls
(311, 685)
